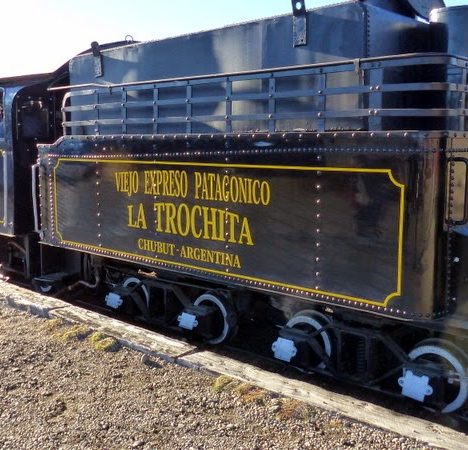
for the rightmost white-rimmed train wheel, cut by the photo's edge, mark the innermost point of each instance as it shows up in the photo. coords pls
(439, 354)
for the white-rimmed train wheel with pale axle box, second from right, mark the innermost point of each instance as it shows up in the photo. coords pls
(300, 329)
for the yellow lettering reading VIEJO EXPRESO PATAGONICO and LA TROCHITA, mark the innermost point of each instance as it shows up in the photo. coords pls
(198, 221)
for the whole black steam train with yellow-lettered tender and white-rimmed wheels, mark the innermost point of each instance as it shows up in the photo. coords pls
(308, 170)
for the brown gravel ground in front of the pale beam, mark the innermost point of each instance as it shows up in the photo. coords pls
(59, 390)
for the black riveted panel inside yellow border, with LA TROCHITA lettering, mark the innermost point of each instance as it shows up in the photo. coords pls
(335, 231)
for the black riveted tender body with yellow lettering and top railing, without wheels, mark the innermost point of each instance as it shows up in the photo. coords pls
(343, 217)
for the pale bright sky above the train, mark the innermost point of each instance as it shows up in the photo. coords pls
(40, 35)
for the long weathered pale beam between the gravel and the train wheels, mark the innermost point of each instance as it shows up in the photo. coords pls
(237, 361)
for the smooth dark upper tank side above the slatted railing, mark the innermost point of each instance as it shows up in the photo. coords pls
(338, 32)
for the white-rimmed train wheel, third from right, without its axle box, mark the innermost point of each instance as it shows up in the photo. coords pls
(224, 323)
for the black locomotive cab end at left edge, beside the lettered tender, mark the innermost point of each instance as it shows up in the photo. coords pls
(28, 116)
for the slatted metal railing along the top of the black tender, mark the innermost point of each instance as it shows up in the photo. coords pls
(368, 85)
